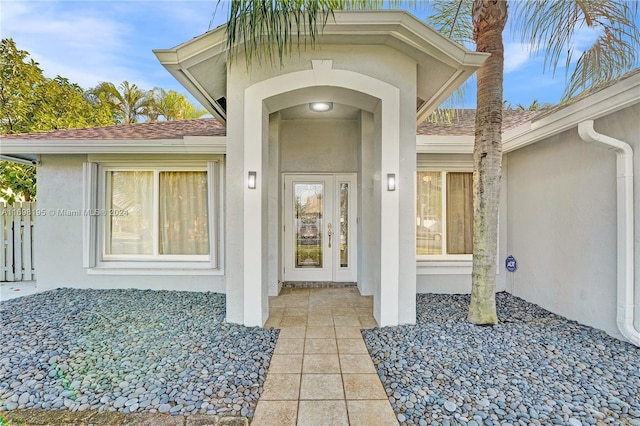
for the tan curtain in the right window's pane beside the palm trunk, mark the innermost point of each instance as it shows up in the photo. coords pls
(460, 213)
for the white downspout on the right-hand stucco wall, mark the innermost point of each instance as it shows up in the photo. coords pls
(624, 171)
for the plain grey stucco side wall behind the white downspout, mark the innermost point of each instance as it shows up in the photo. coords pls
(562, 222)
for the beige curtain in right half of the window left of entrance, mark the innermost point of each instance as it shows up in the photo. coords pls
(183, 217)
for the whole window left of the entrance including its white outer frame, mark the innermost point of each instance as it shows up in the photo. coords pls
(153, 216)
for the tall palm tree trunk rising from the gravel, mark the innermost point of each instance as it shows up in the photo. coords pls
(489, 19)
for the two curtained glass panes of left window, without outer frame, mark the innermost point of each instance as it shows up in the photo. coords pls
(156, 213)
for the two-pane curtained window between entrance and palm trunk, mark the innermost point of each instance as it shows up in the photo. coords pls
(444, 215)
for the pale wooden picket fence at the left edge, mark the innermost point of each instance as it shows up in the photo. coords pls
(16, 235)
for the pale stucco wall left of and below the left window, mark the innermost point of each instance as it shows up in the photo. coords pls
(58, 238)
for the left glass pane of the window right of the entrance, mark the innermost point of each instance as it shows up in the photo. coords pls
(429, 213)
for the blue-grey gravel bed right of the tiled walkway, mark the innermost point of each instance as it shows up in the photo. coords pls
(533, 368)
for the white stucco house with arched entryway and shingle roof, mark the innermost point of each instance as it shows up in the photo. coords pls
(323, 172)
